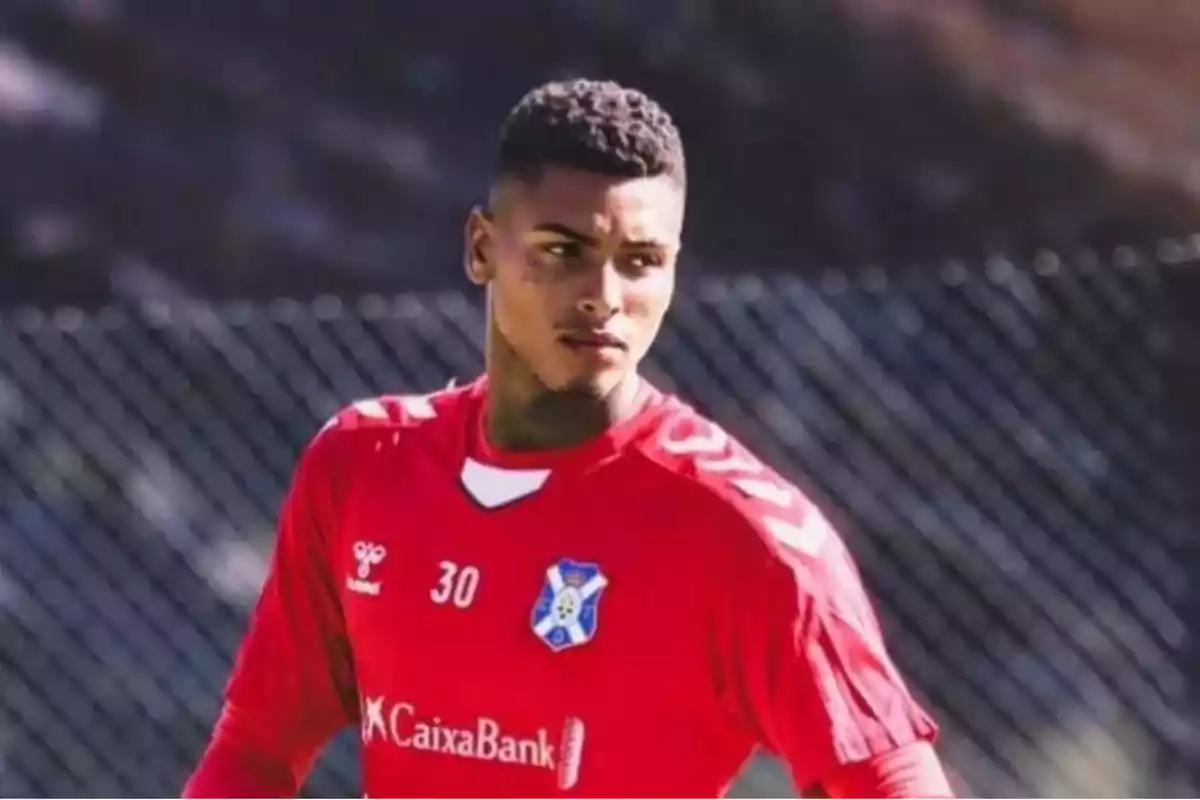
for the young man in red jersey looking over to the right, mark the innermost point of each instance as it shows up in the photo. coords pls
(559, 580)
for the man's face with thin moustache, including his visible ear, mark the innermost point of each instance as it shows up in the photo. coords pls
(581, 269)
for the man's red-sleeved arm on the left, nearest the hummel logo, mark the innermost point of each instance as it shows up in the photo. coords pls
(293, 683)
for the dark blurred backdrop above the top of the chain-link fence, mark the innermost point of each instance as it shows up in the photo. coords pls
(261, 148)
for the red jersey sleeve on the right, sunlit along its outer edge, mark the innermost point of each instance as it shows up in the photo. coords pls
(811, 672)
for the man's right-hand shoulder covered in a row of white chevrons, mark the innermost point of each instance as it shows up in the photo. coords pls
(731, 488)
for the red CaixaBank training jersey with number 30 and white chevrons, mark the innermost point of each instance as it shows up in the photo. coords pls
(633, 616)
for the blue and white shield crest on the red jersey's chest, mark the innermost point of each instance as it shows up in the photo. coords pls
(566, 615)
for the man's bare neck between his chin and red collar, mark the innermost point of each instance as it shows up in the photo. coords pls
(524, 416)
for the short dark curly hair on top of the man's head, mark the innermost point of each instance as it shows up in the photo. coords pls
(598, 127)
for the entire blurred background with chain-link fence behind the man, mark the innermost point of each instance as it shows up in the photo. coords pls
(940, 270)
